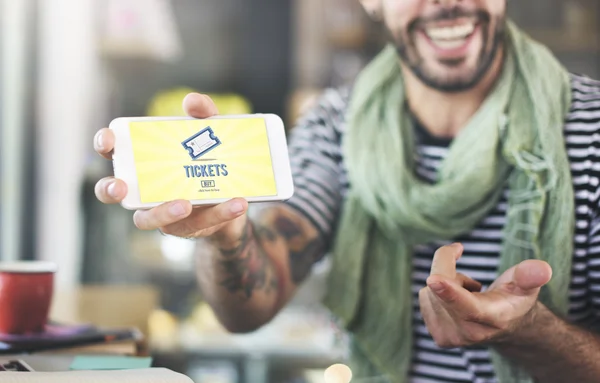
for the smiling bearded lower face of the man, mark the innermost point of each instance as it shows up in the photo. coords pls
(447, 48)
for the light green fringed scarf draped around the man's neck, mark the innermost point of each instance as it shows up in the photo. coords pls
(516, 137)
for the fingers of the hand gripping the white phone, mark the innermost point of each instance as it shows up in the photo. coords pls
(225, 221)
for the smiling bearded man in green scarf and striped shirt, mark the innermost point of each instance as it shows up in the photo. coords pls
(462, 131)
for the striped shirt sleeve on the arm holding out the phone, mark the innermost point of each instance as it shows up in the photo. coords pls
(315, 157)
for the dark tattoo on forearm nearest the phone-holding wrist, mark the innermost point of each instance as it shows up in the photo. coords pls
(246, 267)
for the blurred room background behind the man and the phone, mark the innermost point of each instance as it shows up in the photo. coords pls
(69, 67)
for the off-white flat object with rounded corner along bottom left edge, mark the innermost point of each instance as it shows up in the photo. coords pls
(150, 375)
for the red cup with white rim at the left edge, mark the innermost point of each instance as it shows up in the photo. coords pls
(25, 296)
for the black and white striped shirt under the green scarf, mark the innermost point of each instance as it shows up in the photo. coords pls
(321, 184)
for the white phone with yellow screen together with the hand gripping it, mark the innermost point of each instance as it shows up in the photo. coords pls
(164, 171)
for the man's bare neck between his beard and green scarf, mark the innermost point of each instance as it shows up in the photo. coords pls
(444, 115)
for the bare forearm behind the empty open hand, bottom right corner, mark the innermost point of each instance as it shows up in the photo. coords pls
(554, 351)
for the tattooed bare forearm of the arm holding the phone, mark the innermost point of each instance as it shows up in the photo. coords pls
(247, 282)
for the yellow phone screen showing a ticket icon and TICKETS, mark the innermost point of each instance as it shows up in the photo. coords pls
(202, 159)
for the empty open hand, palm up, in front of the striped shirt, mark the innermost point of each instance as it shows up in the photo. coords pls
(457, 314)
